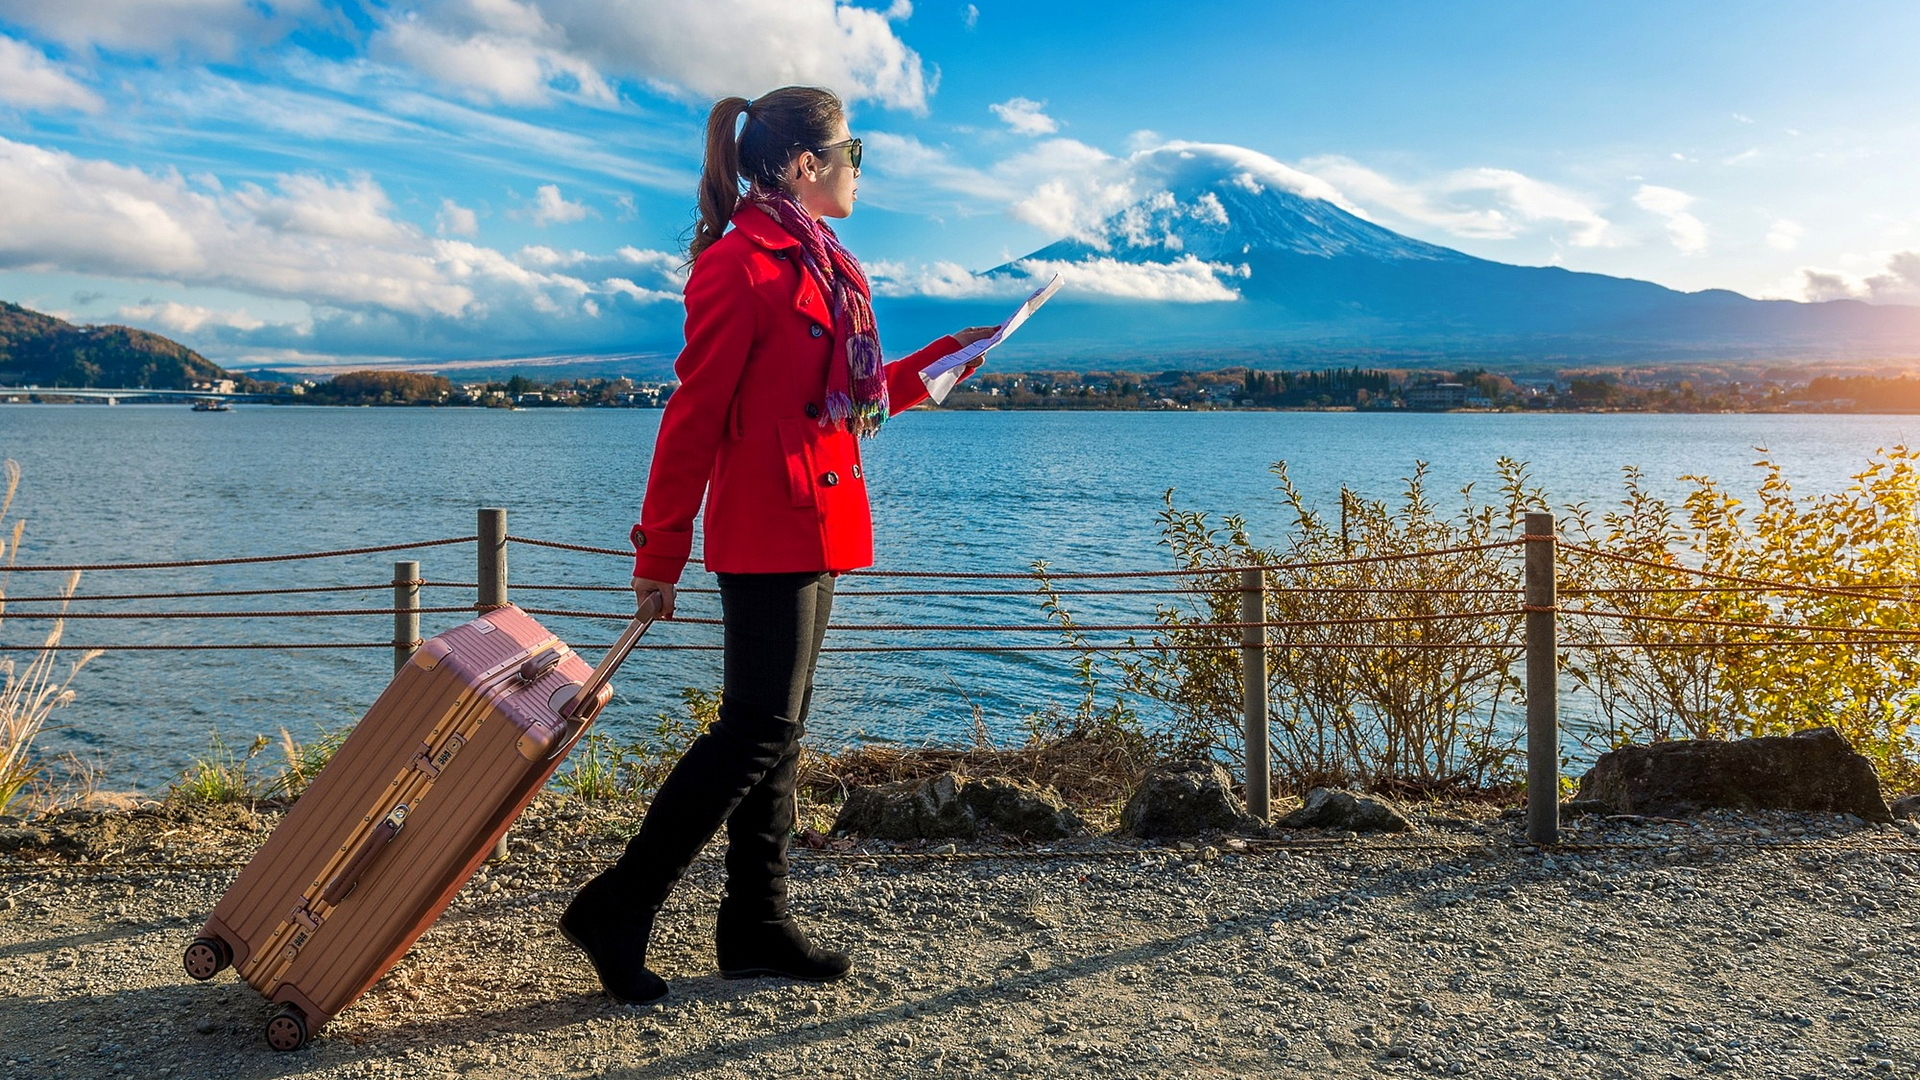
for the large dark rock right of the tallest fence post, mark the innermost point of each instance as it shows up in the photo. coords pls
(1808, 772)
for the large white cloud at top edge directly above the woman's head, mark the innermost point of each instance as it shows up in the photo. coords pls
(533, 51)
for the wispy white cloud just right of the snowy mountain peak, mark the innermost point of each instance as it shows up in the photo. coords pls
(1483, 205)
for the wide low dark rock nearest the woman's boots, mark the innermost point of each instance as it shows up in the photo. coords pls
(955, 808)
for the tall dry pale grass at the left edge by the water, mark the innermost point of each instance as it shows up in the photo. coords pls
(32, 691)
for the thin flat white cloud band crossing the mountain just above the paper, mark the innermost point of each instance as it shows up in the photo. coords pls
(1180, 282)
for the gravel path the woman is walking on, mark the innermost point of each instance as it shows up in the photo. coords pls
(1742, 946)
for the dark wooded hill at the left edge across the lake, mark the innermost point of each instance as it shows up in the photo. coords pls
(41, 351)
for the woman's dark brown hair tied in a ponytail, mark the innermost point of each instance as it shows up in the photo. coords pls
(779, 126)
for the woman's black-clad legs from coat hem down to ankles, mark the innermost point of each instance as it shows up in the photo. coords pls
(742, 772)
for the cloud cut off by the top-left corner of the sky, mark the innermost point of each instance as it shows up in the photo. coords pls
(160, 28)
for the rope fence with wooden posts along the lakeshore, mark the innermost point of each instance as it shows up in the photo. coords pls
(1527, 633)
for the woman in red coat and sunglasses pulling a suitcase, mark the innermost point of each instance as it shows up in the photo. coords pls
(780, 380)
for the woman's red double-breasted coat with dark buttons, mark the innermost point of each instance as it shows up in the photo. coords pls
(782, 493)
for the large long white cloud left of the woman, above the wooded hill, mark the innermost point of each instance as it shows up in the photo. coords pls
(333, 245)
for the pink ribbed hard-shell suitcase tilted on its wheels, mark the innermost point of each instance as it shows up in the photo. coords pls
(404, 814)
